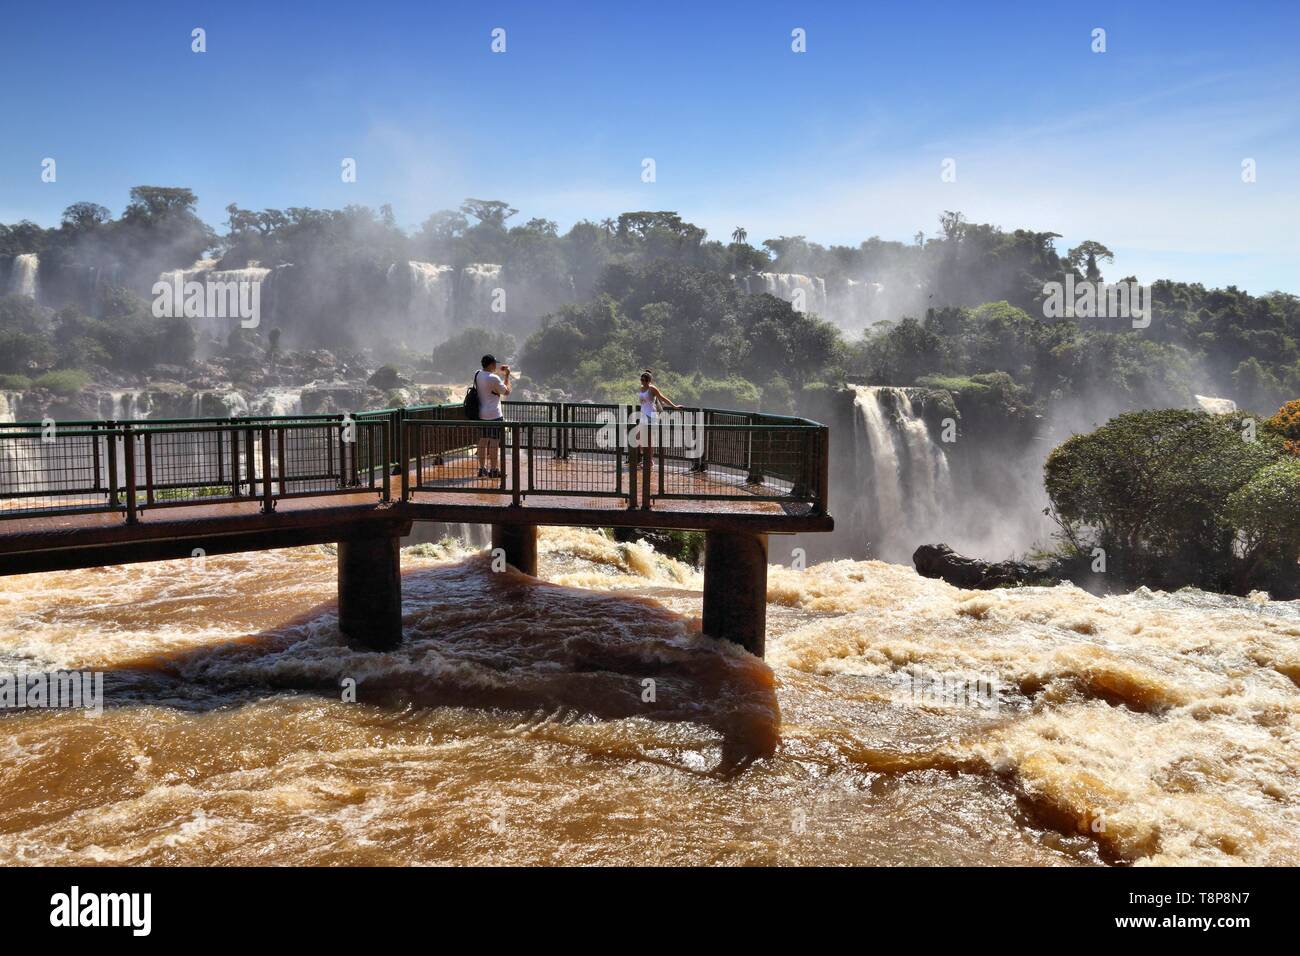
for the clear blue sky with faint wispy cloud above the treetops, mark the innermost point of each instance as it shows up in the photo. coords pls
(1139, 148)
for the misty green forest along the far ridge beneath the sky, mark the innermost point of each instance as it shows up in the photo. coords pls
(649, 289)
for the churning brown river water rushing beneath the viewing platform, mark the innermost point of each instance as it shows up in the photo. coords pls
(517, 724)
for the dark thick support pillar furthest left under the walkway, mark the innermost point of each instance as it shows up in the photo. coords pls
(370, 591)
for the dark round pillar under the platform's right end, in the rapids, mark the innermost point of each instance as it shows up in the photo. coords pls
(736, 589)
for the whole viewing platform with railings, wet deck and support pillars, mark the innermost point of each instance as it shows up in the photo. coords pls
(92, 494)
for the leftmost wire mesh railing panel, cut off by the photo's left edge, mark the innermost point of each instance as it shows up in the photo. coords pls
(55, 469)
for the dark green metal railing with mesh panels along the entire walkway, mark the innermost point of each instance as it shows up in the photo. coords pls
(543, 449)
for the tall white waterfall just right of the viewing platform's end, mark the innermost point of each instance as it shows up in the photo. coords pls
(909, 494)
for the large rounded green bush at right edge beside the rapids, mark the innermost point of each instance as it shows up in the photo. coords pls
(1175, 498)
